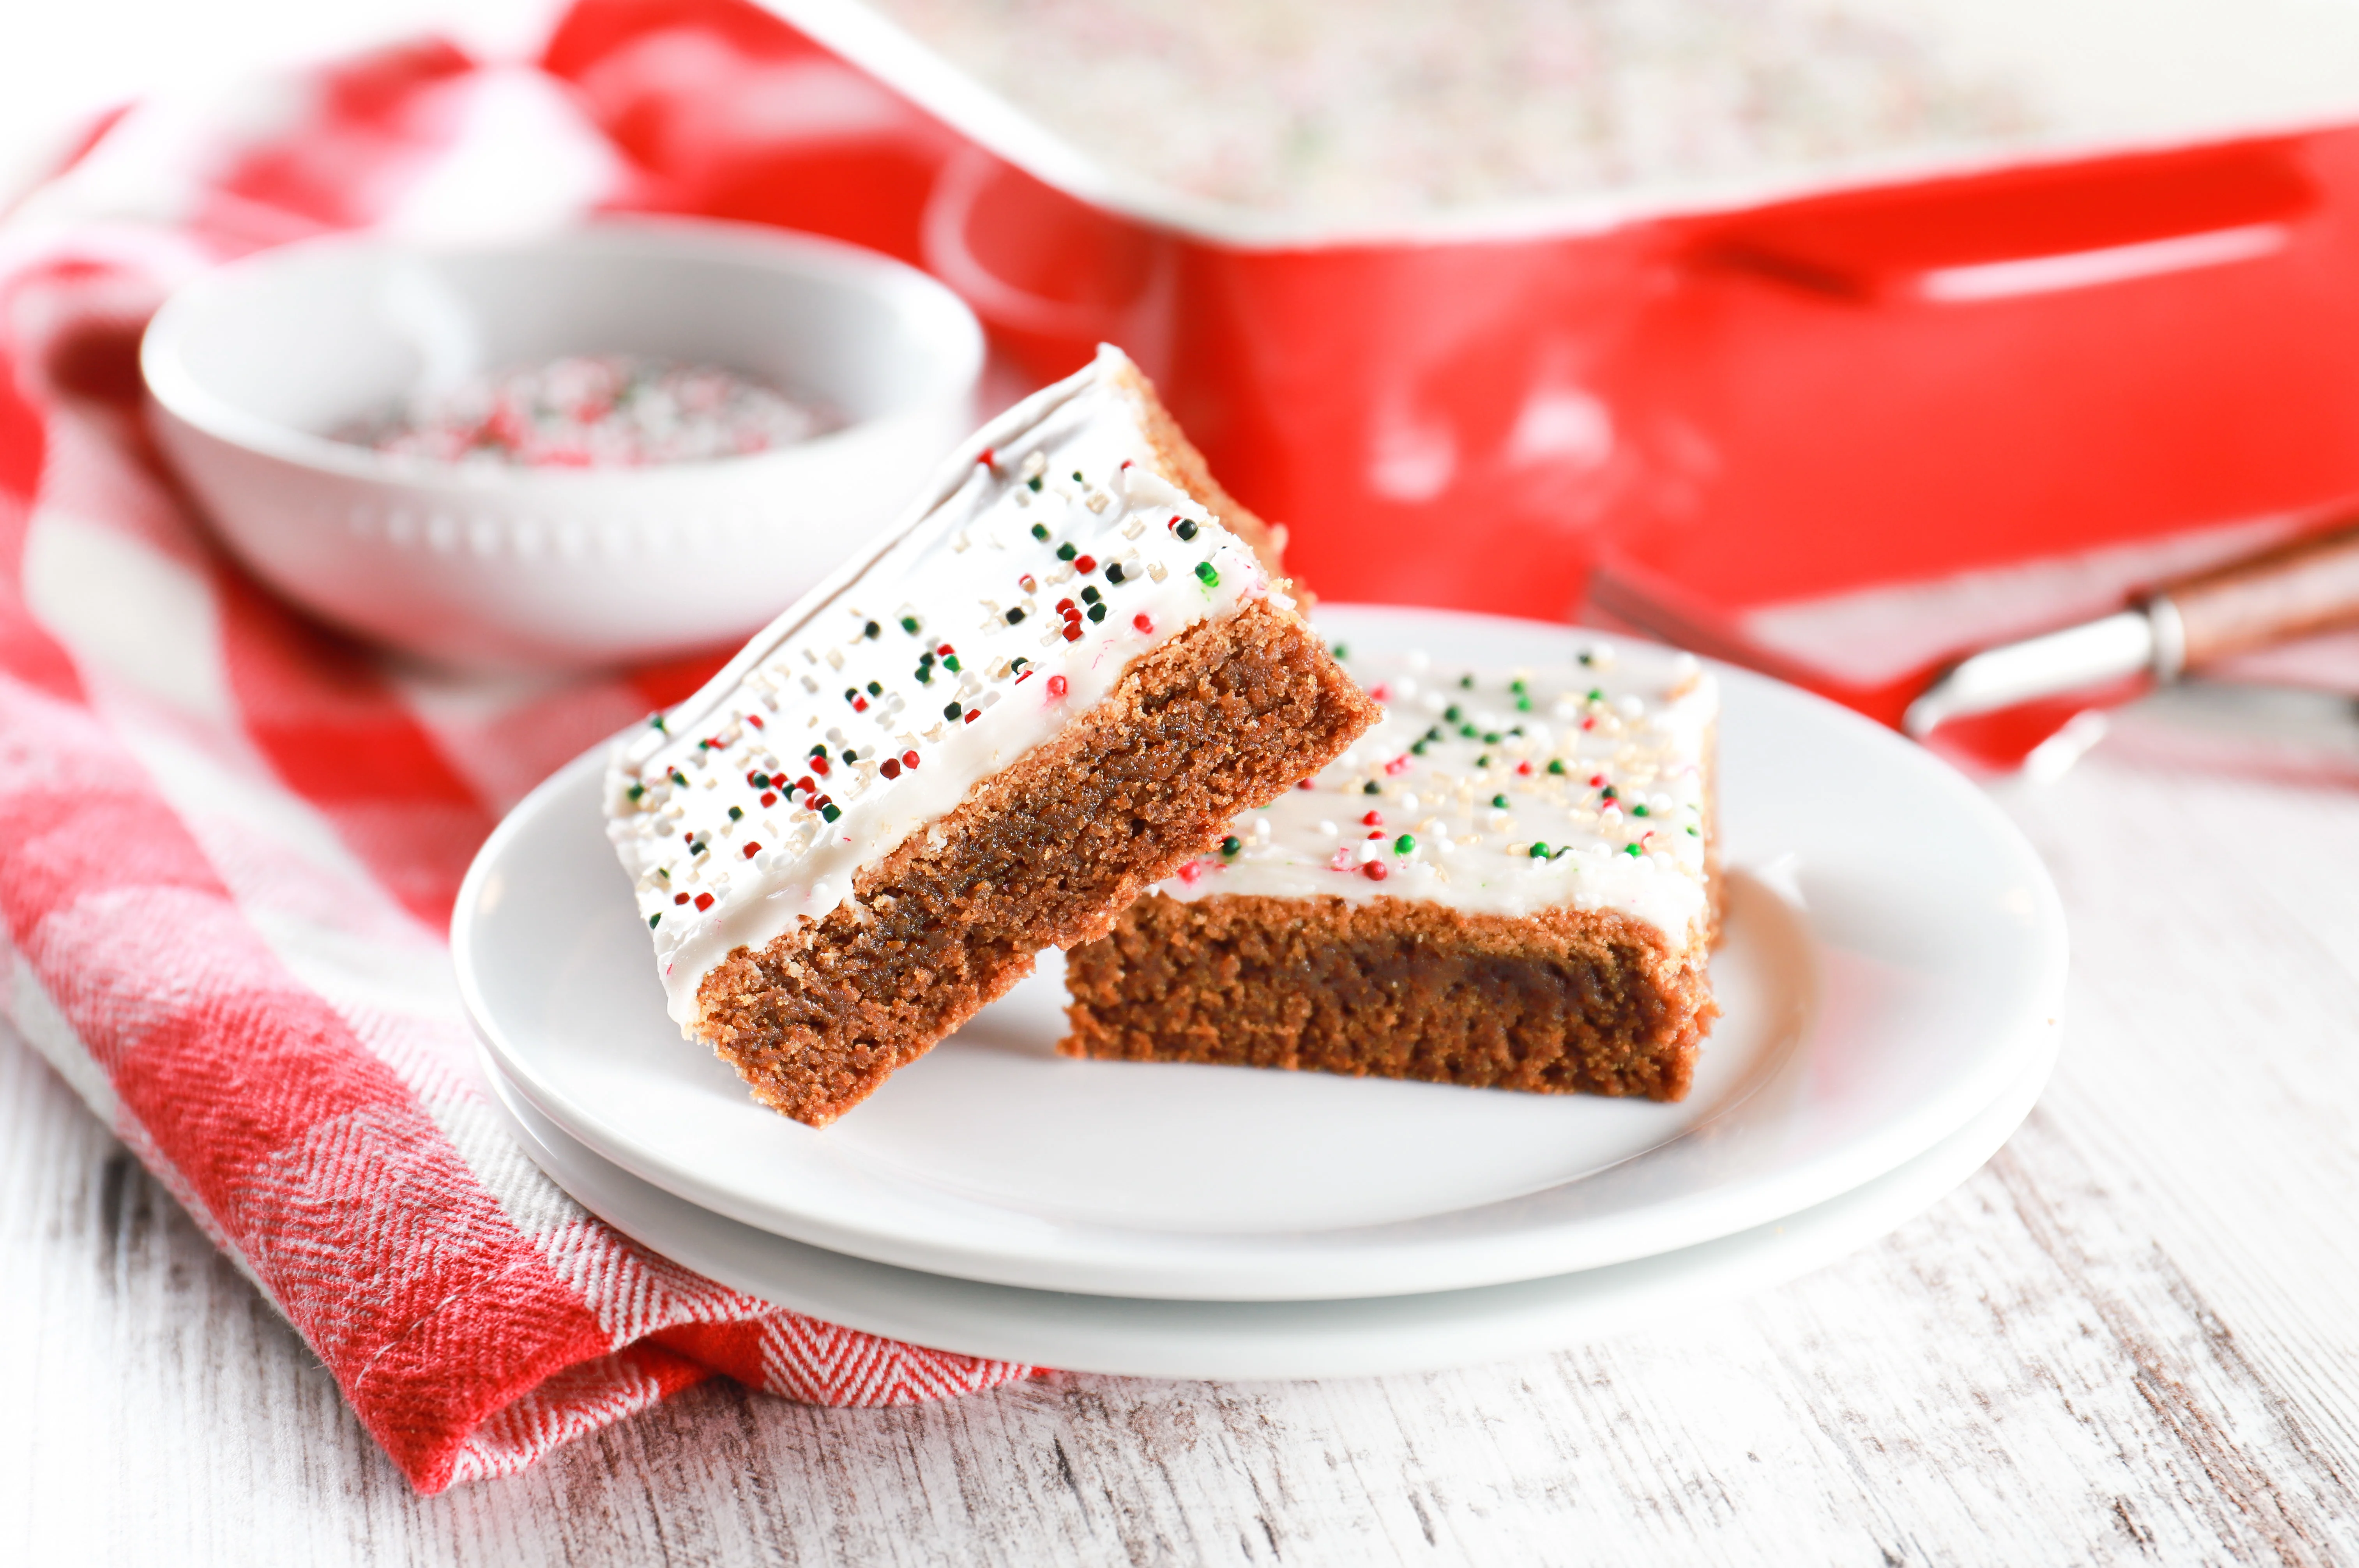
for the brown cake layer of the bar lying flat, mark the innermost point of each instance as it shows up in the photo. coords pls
(1553, 1003)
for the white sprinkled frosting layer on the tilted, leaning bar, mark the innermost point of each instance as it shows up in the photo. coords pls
(832, 737)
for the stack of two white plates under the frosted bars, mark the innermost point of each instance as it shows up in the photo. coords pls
(1891, 987)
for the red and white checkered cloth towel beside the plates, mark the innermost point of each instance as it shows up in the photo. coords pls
(230, 841)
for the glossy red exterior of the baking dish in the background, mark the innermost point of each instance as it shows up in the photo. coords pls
(1744, 404)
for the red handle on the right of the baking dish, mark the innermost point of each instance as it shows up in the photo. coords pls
(2032, 232)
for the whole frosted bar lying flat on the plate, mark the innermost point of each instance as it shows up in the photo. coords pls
(1511, 883)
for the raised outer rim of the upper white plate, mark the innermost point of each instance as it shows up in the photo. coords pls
(1565, 1246)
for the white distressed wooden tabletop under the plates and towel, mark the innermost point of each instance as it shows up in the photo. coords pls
(2131, 1338)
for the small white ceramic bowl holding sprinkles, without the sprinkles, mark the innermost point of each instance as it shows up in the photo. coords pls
(511, 567)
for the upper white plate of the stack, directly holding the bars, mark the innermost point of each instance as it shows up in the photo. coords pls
(1893, 961)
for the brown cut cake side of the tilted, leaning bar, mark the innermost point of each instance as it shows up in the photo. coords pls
(1041, 855)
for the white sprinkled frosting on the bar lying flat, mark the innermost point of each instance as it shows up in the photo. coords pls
(1502, 791)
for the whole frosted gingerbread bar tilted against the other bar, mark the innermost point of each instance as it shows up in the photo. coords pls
(1049, 690)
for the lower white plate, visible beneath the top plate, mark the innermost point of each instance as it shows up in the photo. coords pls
(1086, 1333)
